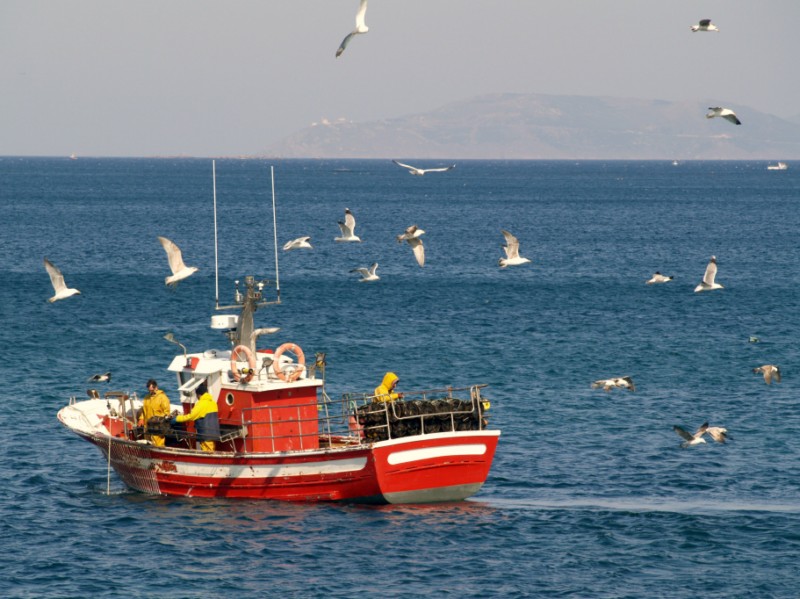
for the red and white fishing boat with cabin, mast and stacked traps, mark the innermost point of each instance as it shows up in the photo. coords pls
(282, 437)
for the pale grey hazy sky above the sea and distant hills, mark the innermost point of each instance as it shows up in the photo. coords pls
(231, 77)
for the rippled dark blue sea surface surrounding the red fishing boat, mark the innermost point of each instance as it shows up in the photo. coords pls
(590, 494)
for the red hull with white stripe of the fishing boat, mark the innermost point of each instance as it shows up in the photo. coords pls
(419, 469)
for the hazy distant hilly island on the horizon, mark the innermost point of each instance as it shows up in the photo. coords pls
(540, 126)
